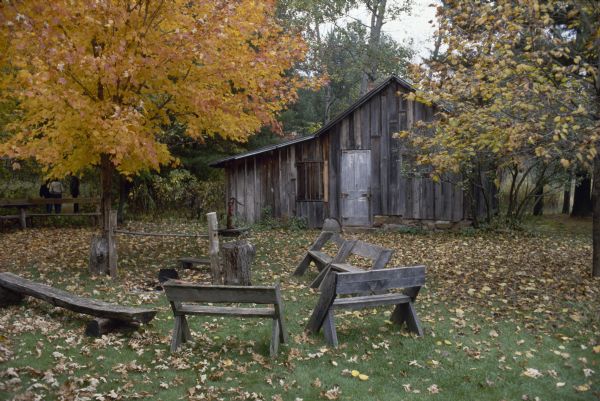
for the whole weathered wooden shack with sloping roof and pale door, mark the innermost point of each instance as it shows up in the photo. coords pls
(352, 169)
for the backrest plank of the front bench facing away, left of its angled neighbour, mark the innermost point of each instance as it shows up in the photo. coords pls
(178, 291)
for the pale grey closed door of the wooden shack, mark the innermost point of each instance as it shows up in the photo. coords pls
(356, 187)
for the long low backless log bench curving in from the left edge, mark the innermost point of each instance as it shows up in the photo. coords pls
(110, 316)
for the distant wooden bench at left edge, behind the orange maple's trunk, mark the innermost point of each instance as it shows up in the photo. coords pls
(26, 203)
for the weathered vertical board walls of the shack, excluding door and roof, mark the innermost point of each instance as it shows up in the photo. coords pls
(268, 182)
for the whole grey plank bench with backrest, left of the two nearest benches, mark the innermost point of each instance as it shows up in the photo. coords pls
(185, 298)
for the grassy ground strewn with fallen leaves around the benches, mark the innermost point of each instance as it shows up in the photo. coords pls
(507, 316)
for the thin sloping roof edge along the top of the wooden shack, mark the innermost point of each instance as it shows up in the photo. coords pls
(363, 99)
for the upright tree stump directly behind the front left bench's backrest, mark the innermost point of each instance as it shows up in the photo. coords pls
(237, 260)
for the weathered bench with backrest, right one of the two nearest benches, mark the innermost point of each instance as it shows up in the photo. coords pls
(361, 288)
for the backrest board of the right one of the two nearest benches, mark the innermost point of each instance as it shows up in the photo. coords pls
(380, 280)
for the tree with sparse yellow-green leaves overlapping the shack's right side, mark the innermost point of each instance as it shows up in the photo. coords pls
(517, 84)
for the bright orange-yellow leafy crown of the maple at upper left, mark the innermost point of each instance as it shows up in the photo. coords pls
(96, 80)
